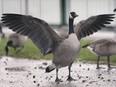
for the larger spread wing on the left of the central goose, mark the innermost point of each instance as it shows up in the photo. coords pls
(39, 31)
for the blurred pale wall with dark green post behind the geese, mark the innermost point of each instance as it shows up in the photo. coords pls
(56, 12)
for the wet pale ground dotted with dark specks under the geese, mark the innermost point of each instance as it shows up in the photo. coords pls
(31, 73)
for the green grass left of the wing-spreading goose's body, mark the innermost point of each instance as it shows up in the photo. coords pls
(29, 51)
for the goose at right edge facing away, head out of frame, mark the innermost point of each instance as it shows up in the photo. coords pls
(102, 47)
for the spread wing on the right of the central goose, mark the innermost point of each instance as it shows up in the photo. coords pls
(92, 24)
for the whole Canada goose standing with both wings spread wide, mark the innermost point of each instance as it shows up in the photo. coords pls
(48, 41)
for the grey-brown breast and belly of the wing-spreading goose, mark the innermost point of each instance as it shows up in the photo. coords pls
(68, 49)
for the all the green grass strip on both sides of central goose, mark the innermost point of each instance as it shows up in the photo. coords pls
(32, 52)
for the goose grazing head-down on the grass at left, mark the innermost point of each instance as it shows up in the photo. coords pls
(16, 41)
